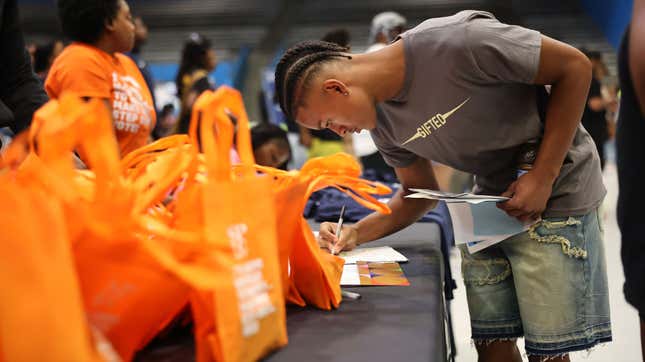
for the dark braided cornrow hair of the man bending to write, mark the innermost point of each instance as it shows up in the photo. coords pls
(298, 66)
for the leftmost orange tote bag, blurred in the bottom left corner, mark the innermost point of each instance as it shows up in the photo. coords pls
(41, 310)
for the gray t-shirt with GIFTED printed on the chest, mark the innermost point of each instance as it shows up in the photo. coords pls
(468, 102)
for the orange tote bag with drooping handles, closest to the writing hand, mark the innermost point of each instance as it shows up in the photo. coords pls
(314, 274)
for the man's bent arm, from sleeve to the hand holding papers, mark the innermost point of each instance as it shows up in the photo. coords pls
(569, 73)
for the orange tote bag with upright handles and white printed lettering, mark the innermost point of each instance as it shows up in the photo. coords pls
(243, 317)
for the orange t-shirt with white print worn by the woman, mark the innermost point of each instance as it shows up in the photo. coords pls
(90, 72)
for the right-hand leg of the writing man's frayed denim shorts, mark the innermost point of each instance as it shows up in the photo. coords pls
(560, 279)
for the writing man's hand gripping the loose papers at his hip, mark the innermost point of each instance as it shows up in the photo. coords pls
(529, 195)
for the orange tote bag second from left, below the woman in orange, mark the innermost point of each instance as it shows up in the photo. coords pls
(128, 296)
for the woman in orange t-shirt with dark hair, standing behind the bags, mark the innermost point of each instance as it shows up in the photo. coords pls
(94, 67)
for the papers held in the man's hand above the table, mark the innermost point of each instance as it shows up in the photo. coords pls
(476, 220)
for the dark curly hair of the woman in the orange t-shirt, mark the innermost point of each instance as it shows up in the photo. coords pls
(85, 20)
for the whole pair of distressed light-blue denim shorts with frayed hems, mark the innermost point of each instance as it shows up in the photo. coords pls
(548, 284)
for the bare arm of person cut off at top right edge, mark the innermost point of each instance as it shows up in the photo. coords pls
(637, 52)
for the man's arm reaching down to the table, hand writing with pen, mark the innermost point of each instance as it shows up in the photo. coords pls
(404, 211)
